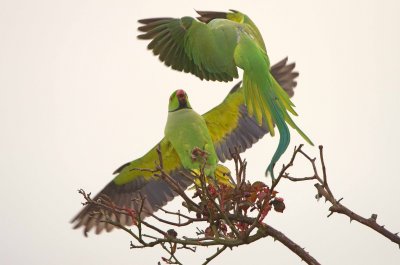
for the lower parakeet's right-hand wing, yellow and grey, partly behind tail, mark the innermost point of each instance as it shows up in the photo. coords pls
(229, 123)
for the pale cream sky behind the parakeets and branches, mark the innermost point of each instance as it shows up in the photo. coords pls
(80, 95)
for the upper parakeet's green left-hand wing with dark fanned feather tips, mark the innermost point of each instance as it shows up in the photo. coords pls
(191, 46)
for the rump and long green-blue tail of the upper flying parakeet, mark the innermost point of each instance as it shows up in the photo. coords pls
(265, 99)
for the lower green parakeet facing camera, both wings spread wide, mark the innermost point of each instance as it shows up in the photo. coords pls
(229, 127)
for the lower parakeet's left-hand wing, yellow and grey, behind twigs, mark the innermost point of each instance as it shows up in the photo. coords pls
(126, 189)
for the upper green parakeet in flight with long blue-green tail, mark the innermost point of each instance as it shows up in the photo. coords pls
(212, 48)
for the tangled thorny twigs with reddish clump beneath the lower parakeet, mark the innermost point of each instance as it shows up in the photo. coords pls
(234, 215)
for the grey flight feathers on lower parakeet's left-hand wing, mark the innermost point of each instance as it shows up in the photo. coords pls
(156, 193)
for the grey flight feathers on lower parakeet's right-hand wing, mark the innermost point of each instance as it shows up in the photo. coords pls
(248, 131)
